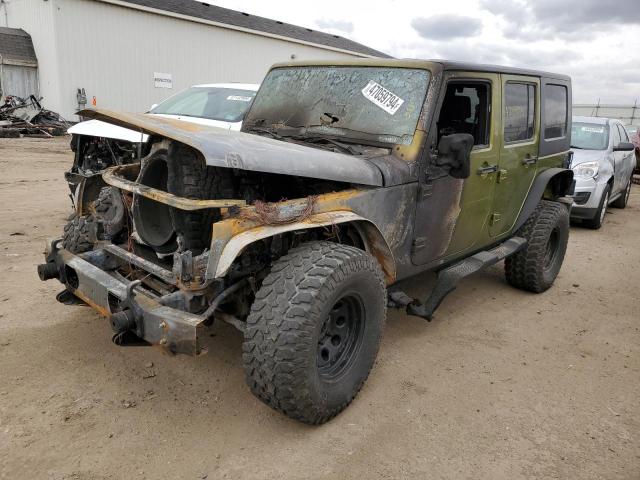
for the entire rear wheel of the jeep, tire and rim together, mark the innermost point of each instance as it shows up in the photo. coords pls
(536, 266)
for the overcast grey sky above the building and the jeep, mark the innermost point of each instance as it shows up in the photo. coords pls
(597, 42)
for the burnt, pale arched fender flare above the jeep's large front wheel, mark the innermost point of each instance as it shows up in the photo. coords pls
(373, 239)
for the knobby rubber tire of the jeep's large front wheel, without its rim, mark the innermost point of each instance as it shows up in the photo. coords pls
(279, 329)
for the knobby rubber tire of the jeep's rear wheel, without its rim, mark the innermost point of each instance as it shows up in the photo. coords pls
(524, 269)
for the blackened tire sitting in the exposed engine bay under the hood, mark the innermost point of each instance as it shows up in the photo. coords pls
(190, 177)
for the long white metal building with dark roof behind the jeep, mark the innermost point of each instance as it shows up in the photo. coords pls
(128, 55)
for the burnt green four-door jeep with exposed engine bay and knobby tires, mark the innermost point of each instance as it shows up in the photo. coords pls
(347, 177)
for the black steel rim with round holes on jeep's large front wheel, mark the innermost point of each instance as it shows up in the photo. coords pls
(340, 337)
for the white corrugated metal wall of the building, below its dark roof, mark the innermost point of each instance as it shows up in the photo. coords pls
(112, 52)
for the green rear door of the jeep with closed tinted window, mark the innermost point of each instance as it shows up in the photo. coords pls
(518, 155)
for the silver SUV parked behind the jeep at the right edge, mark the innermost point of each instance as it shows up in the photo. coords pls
(602, 164)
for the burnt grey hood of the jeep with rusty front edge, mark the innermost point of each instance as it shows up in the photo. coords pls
(230, 149)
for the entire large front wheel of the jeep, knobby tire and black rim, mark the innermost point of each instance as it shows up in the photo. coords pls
(314, 329)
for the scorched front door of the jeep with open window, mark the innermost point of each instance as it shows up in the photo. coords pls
(451, 215)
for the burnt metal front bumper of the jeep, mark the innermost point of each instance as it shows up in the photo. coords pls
(87, 276)
